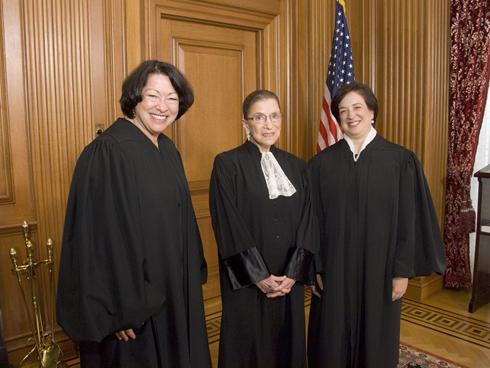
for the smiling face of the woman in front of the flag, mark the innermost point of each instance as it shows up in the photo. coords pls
(355, 116)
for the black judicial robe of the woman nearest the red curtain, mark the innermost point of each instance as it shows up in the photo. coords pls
(377, 222)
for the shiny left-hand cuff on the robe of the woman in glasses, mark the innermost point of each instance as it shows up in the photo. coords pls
(246, 268)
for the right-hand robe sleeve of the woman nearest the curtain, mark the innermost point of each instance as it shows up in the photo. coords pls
(420, 248)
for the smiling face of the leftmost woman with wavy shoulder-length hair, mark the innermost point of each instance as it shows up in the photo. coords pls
(158, 108)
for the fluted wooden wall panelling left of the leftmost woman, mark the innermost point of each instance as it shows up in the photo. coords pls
(61, 70)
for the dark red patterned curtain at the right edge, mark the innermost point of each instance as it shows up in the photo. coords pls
(468, 85)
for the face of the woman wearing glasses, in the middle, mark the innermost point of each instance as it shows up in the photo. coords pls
(265, 133)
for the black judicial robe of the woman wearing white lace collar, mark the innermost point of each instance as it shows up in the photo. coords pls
(256, 237)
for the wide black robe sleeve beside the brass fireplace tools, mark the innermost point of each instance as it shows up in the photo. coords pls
(102, 286)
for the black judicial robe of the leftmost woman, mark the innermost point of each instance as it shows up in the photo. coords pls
(132, 255)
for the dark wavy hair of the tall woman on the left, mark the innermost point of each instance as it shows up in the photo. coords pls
(135, 82)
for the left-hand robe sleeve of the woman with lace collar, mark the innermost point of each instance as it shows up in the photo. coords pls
(237, 249)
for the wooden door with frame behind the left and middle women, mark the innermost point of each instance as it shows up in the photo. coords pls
(221, 50)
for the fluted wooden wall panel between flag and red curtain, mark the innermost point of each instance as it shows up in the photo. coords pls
(411, 82)
